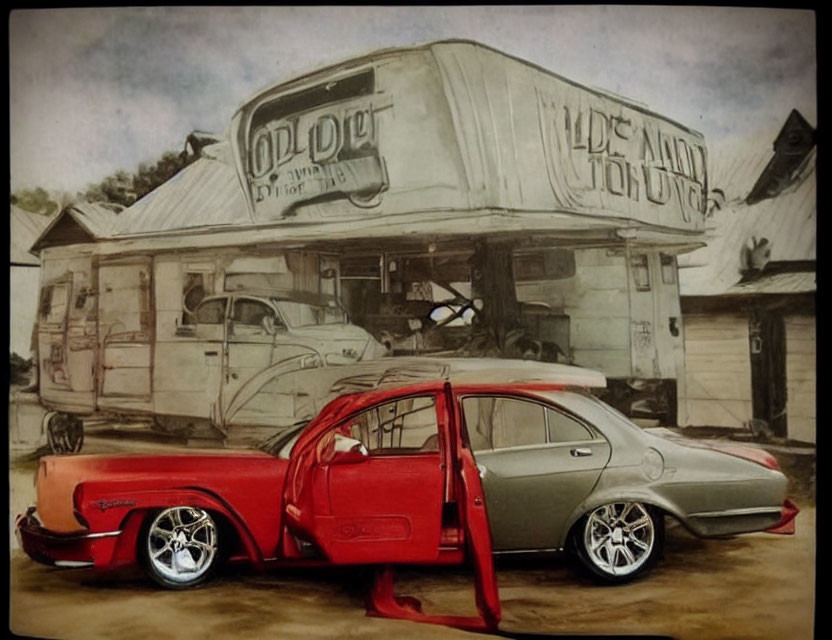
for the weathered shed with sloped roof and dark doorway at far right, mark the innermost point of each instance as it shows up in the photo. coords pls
(748, 299)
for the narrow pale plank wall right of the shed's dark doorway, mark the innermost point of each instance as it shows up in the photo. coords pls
(801, 381)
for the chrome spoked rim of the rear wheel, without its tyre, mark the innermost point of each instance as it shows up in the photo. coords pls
(619, 538)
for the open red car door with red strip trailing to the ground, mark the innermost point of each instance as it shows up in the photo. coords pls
(385, 479)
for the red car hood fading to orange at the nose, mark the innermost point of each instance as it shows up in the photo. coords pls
(58, 476)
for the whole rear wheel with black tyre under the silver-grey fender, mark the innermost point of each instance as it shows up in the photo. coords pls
(620, 541)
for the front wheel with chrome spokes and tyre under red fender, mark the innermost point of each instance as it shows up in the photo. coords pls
(179, 546)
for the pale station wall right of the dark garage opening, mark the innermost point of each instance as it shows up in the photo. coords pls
(596, 301)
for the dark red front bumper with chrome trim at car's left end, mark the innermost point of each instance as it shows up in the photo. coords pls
(63, 549)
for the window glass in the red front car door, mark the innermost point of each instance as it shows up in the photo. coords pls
(404, 426)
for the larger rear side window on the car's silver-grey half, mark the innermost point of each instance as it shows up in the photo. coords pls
(497, 423)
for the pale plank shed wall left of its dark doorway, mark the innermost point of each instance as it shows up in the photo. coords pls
(717, 371)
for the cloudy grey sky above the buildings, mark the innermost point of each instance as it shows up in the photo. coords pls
(96, 90)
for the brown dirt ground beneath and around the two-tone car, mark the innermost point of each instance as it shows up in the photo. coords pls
(754, 586)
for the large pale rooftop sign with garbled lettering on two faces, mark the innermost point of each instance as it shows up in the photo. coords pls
(461, 128)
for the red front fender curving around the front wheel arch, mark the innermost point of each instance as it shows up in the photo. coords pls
(126, 513)
